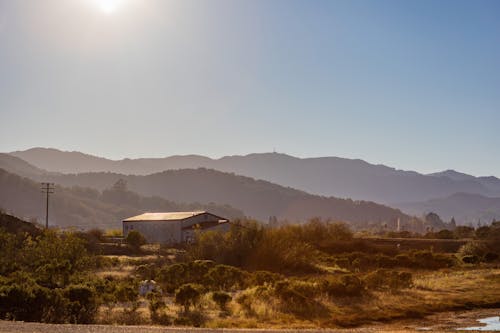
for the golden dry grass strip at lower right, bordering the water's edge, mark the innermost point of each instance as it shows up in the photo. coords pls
(432, 292)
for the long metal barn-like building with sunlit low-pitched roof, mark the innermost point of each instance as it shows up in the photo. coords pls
(173, 227)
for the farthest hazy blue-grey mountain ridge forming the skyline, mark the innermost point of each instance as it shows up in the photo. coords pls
(328, 176)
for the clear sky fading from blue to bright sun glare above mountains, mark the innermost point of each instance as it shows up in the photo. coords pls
(411, 84)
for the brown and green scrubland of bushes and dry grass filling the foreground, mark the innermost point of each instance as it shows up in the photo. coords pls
(312, 276)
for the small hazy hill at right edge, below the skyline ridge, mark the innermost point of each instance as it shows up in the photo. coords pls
(464, 207)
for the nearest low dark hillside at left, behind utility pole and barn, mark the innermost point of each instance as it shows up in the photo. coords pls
(84, 207)
